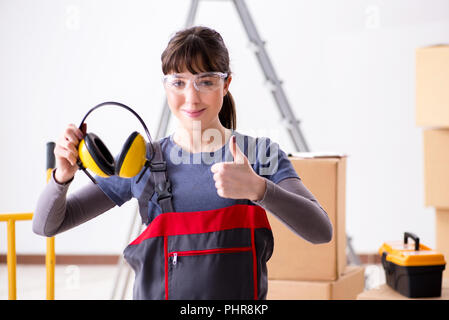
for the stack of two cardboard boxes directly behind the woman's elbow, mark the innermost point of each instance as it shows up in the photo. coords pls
(301, 270)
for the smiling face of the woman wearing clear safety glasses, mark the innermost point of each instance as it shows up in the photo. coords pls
(193, 102)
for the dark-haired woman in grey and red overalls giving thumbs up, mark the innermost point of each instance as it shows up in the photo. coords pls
(216, 243)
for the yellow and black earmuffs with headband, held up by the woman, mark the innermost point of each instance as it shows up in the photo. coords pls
(95, 156)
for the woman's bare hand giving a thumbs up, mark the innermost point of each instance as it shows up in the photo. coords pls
(237, 179)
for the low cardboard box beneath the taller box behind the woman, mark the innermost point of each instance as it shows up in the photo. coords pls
(347, 287)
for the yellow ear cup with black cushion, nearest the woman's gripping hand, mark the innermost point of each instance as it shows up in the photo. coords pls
(95, 156)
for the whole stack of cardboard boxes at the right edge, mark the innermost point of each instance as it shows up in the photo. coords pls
(432, 114)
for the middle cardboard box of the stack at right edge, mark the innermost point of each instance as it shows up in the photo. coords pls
(436, 167)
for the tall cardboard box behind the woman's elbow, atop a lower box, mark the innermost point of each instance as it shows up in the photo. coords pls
(296, 259)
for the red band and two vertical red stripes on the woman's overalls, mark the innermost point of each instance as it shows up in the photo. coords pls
(178, 223)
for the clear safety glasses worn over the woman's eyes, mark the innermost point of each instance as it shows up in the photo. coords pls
(202, 82)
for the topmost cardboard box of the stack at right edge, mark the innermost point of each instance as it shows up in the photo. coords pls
(432, 83)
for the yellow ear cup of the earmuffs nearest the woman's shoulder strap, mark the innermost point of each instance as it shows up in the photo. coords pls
(131, 159)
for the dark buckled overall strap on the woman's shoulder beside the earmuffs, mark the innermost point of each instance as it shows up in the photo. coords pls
(157, 182)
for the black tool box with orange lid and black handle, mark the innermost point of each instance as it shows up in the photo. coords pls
(413, 270)
